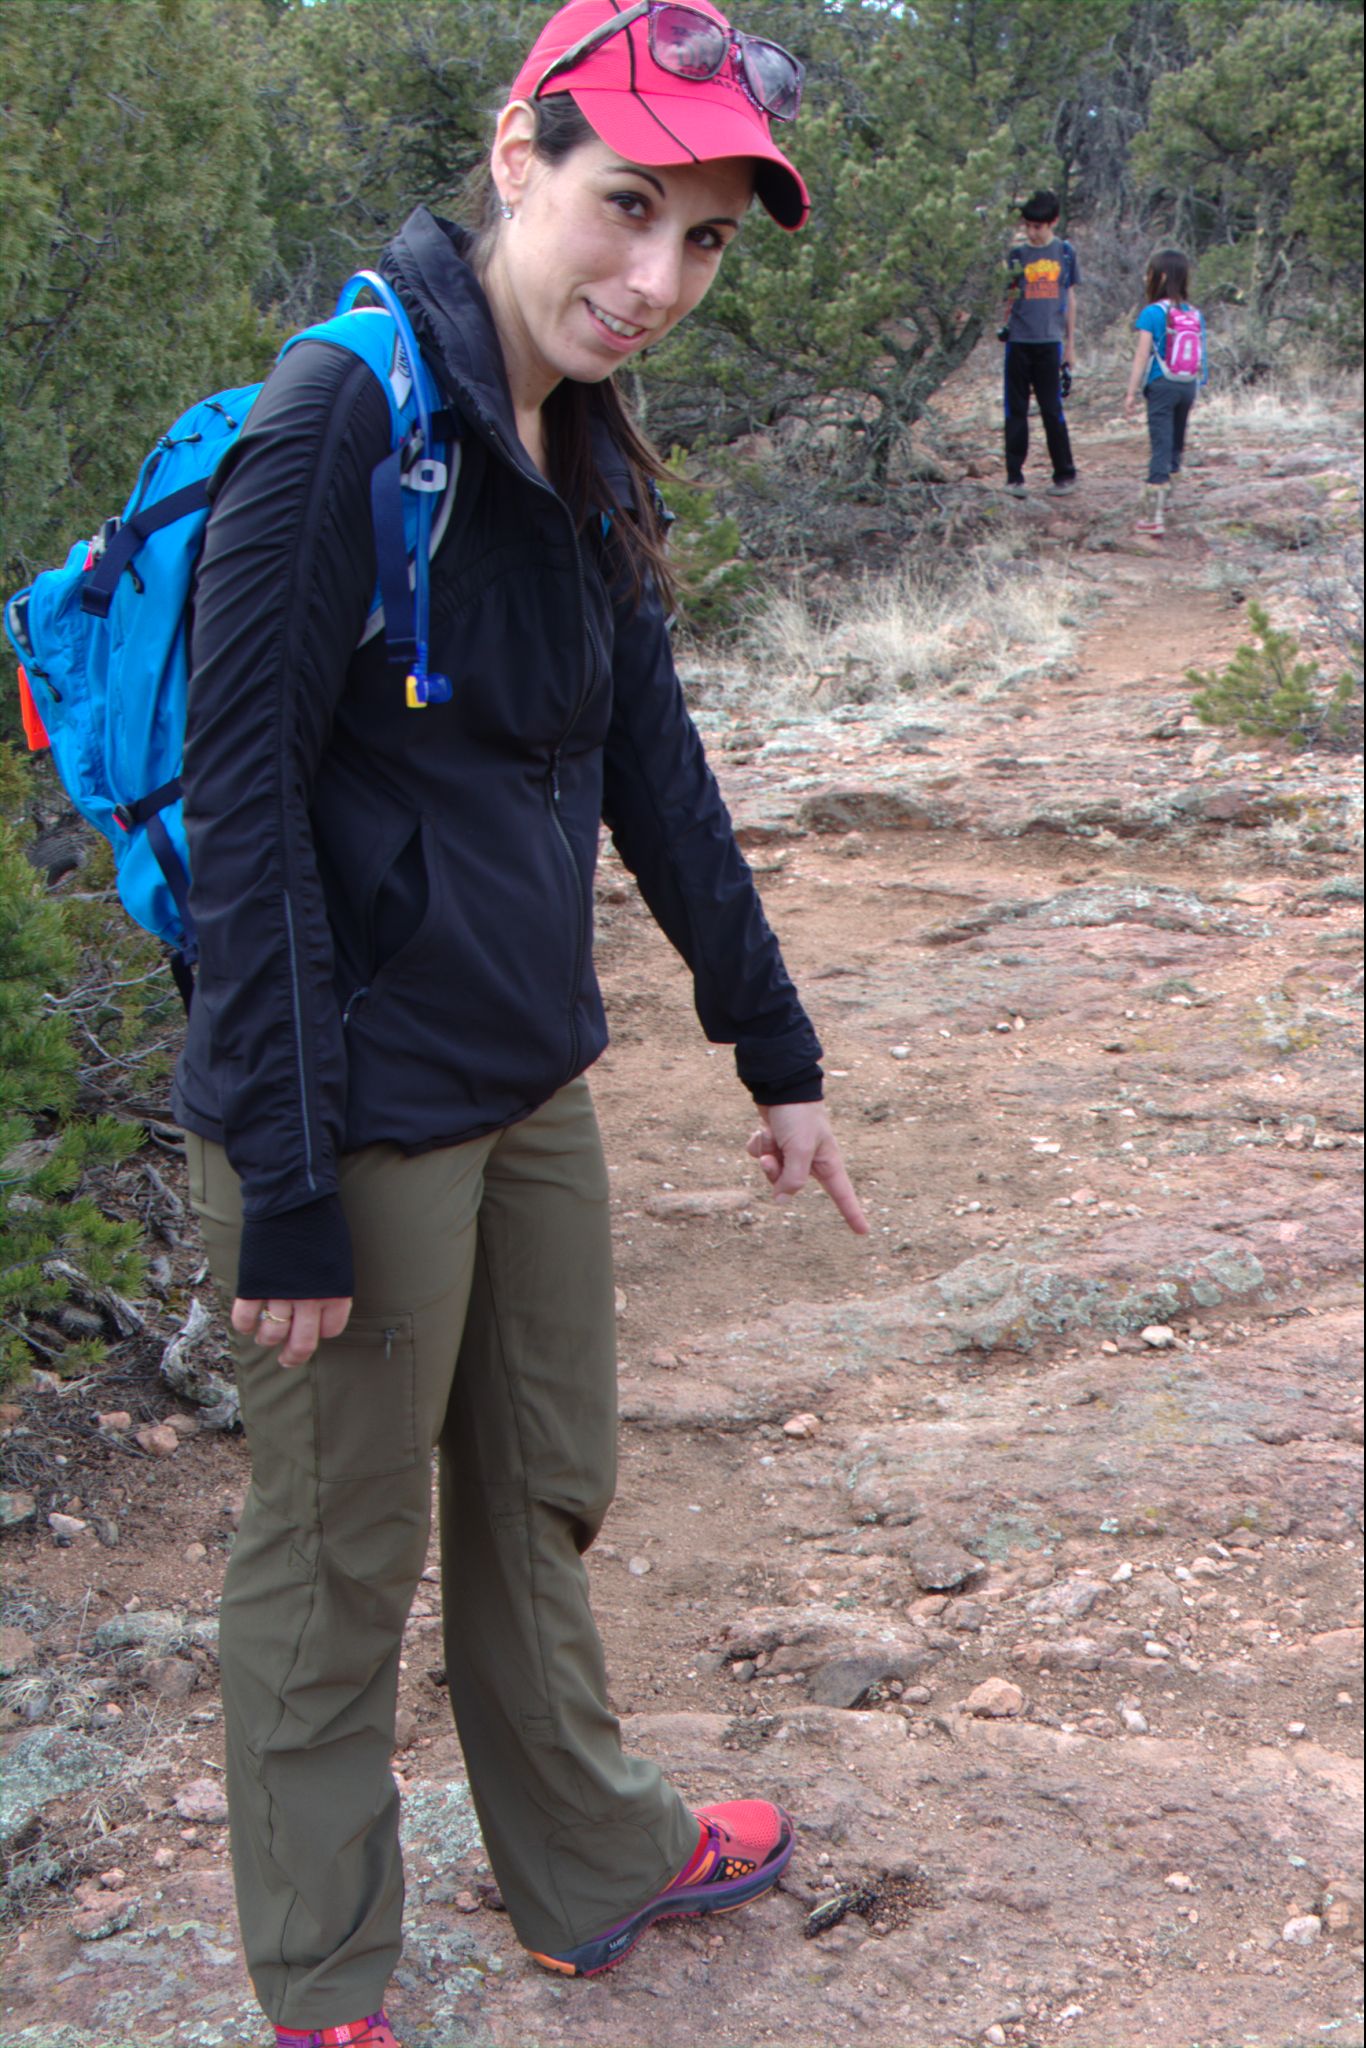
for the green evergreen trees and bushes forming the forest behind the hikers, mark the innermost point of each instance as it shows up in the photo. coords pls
(183, 183)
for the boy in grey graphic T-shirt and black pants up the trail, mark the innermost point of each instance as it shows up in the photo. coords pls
(1039, 341)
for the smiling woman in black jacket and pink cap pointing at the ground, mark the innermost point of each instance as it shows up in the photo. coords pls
(390, 1136)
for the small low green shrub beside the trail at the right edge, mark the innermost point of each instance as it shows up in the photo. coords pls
(1269, 693)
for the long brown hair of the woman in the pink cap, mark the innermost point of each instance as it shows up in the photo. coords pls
(572, 409)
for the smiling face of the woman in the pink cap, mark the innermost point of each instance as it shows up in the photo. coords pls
(603, 257)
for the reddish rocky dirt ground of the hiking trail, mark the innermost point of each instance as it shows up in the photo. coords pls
(1017, 1547)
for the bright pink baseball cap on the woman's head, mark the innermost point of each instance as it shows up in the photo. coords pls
(656, 118)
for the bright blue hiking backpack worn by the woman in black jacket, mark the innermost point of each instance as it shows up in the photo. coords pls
(105, 648)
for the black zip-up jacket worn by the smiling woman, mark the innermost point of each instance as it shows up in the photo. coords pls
(394, 906)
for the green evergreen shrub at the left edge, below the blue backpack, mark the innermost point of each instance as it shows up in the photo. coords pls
(56, 1246)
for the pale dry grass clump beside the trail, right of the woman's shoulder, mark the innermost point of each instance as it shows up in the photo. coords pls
(986, 624)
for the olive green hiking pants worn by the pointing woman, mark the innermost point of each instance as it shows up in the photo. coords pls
(484, 1330)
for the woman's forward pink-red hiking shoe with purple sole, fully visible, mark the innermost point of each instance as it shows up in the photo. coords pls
(744, 1850)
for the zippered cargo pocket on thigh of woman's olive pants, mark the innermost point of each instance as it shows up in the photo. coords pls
(366, 1400)
